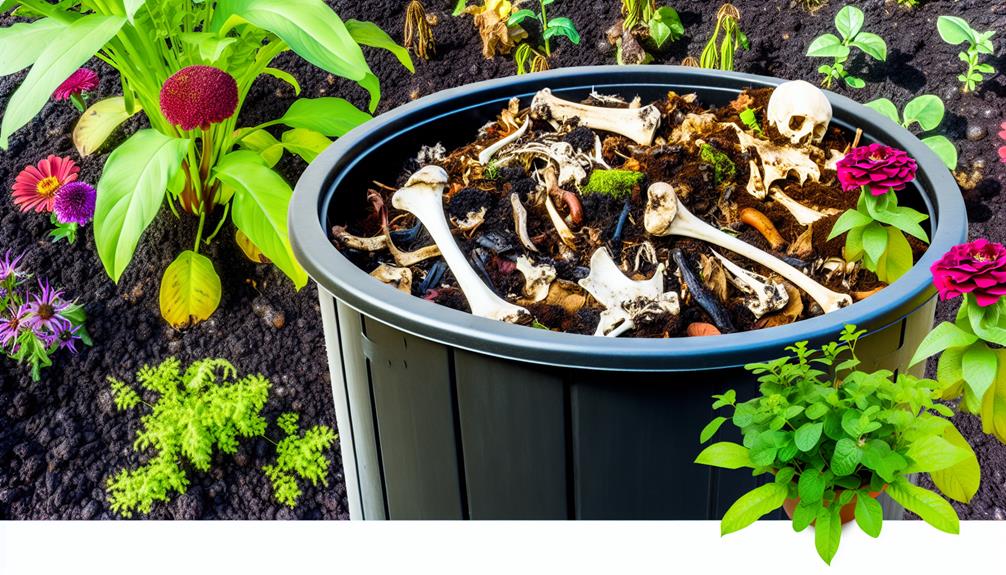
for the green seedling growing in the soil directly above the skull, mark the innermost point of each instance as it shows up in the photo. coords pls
(850, 24)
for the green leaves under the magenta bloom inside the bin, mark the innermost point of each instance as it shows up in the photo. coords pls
(876, 235)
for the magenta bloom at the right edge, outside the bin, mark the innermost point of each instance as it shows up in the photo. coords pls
(978, 268)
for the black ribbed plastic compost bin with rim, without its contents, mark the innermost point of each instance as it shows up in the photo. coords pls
(447, 416)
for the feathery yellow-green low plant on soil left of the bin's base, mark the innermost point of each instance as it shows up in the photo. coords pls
(201, 411)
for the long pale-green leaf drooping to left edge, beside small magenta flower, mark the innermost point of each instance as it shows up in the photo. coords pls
(63, 56)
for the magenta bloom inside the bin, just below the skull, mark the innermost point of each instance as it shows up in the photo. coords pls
(878, 167)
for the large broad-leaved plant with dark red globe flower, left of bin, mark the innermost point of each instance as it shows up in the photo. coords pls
(194, 158)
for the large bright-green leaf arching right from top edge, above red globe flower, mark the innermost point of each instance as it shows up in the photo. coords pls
(310, 29)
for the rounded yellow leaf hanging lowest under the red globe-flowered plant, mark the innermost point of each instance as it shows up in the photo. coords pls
(191, 290)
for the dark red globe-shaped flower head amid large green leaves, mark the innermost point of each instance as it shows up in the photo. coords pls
(198, 97)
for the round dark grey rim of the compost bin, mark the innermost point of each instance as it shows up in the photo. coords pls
(337, 275)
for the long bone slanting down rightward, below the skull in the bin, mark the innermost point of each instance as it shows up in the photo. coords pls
(666, 216)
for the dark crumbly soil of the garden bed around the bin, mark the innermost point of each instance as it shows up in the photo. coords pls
(62, 438)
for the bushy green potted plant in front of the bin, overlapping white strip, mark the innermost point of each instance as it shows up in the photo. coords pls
(833, 436)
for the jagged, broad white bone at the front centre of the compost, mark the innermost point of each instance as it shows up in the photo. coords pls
(626, 301)
